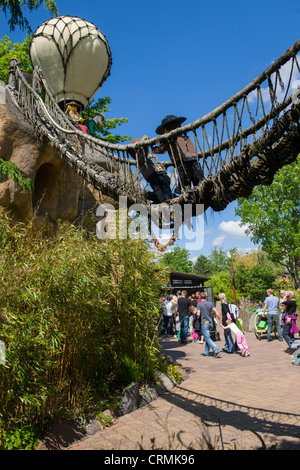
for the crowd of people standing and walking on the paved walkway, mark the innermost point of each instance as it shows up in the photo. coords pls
(196, 317)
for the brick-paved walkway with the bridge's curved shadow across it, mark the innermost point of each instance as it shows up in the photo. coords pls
(223, 403)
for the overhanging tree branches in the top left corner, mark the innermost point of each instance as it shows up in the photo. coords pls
(15, 9)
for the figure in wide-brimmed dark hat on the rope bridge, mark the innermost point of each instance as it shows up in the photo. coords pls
(182, 153)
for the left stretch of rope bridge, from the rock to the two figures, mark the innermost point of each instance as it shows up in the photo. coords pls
(99, 166)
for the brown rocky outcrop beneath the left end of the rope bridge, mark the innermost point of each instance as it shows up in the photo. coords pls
(59, 193)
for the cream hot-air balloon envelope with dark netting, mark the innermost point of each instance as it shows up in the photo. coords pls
(74, 57)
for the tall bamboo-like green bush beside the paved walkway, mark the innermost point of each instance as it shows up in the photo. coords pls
(74, 311)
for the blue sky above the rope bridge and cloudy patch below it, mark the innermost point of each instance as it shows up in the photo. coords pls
(183, 58)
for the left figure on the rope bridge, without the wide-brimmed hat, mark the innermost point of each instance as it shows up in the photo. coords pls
(153, 172)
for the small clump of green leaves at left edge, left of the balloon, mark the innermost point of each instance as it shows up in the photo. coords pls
(9, 51)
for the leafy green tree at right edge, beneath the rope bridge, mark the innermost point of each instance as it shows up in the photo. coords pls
(272, 217)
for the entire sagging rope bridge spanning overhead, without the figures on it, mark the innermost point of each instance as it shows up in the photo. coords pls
(238, 145)
